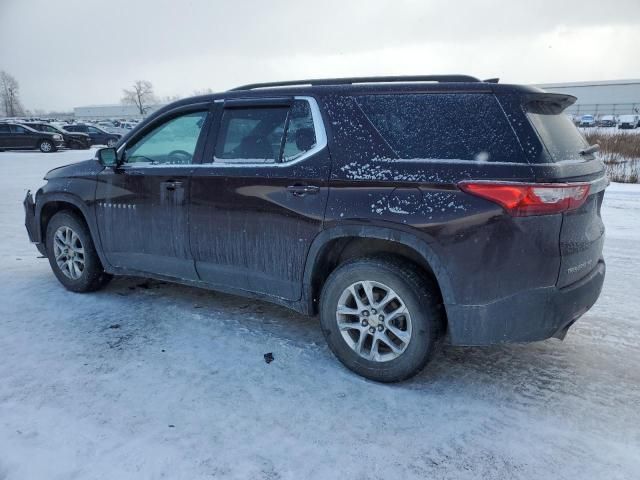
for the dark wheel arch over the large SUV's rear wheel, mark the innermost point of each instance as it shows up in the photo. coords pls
(333, 246)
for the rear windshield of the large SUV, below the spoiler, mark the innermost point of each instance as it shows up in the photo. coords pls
(559, 135)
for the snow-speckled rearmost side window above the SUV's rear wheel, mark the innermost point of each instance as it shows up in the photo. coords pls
(443, 126)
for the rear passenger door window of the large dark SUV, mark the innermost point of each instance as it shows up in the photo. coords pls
(265, 134)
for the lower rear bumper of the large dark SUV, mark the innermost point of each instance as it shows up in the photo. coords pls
(527, 316)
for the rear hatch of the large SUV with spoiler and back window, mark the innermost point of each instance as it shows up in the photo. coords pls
(569, 160)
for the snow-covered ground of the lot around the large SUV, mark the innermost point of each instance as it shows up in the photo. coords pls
(148, 380)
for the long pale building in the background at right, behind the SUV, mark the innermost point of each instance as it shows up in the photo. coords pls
(613, 97)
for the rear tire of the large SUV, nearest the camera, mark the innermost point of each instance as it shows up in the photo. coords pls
(423, 327)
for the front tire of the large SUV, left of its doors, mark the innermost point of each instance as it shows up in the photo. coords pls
(91, 276)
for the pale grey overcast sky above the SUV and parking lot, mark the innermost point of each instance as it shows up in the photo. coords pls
(68, 53)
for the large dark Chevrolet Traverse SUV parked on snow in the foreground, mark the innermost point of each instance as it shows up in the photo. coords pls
(405, 211)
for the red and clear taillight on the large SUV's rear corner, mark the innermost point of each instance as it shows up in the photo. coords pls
(523, 199)
